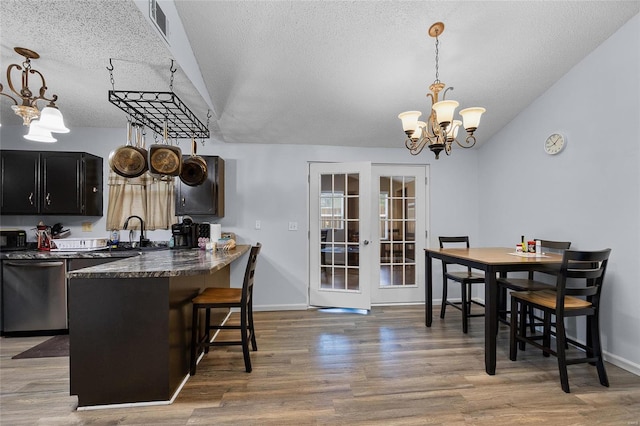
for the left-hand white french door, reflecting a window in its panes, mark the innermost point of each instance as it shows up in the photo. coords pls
(338, 244)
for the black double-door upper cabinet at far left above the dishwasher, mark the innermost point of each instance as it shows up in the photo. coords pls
(51, 183)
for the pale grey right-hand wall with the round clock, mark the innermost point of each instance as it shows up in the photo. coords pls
(588, 194)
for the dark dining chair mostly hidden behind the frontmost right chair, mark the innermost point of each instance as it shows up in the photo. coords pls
(530, 283)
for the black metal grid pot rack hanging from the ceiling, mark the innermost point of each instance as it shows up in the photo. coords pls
(153, 109)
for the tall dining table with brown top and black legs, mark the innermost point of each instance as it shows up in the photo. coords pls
(493, 261)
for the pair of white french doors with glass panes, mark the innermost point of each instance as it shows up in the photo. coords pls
(367, 234)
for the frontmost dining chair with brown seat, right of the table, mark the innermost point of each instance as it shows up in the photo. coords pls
(586, 270)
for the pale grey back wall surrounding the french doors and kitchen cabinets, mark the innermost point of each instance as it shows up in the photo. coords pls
(269, 183)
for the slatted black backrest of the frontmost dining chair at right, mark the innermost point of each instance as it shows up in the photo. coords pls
(586, 269)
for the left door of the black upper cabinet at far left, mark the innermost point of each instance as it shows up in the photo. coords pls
(20, 176)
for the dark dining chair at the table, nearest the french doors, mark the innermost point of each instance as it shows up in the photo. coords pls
(466, 278)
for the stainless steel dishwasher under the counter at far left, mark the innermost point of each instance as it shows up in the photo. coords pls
(34, 297)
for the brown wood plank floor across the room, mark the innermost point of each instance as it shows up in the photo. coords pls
(342, 368)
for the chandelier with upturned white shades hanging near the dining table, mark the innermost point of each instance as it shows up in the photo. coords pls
(440, 130)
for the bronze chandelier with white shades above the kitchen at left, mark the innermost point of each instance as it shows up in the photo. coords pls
(41, 123)
